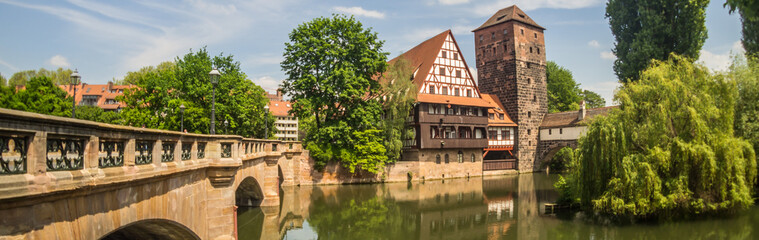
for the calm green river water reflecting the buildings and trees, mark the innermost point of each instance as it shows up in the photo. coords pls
(506, 207)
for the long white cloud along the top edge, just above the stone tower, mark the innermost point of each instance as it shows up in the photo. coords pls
(486, 9)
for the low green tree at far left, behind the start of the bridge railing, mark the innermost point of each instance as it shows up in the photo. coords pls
(39, 96)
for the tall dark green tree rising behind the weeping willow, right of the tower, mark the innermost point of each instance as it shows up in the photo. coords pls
(651, 30)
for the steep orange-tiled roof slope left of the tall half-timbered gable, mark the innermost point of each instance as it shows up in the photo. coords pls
(423, 56)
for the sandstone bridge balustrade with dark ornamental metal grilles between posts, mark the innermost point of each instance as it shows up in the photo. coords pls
(40, 154)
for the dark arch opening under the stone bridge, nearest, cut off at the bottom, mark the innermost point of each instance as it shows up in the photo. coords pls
(151, 229)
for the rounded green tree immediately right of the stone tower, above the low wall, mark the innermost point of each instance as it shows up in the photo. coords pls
(563, 91)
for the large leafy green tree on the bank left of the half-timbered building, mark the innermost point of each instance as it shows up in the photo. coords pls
(331, 65)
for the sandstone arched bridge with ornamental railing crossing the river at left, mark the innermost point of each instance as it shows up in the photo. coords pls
(63, 178)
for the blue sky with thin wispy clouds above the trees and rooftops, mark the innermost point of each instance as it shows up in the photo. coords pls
(106, 39)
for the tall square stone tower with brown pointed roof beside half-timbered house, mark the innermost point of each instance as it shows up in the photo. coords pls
(511, 63)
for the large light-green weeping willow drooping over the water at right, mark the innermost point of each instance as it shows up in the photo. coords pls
(668, 152)
